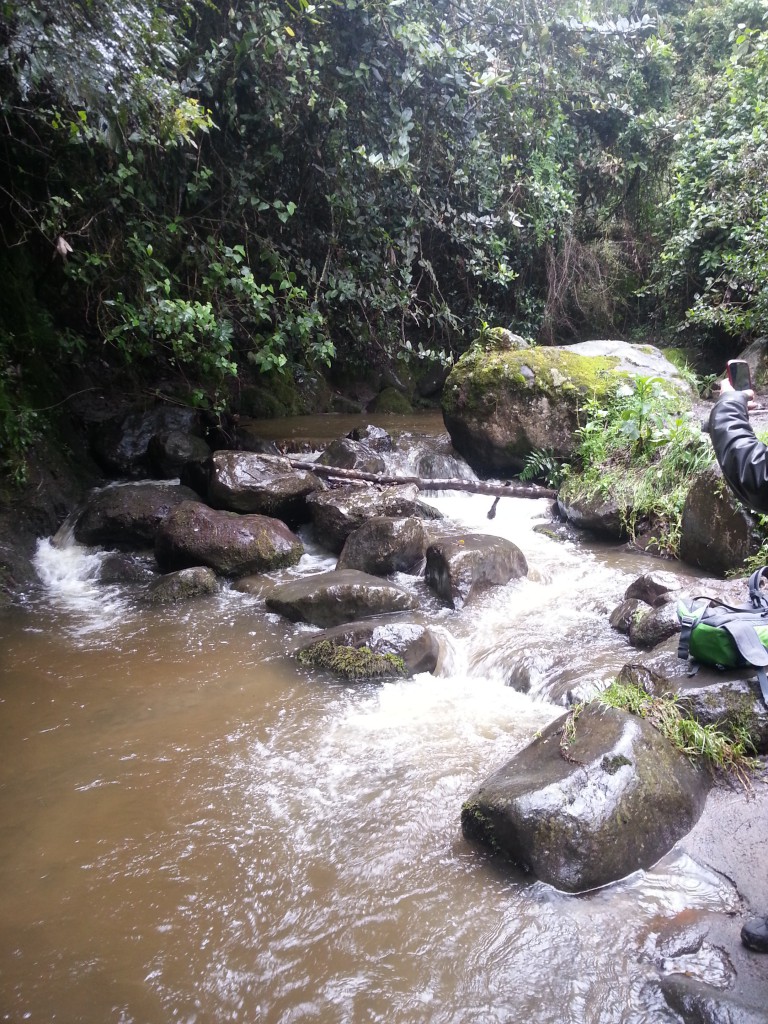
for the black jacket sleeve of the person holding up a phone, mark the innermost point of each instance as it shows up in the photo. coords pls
(743, 458)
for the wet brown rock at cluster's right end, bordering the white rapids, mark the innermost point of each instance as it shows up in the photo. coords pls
(459, 568)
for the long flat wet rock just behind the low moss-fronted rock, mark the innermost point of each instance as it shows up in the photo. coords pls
(345, 596)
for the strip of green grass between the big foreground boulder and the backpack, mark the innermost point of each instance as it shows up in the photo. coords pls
(727, 750)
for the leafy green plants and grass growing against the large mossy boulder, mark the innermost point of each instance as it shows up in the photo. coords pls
(641, 450)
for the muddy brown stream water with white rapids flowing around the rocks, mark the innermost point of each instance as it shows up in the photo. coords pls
(195, 829)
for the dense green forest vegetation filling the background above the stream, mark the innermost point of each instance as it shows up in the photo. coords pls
(211, 195)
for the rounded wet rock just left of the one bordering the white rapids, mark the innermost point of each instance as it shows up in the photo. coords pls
(385, 545)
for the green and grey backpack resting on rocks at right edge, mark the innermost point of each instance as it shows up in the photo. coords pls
(726, 635)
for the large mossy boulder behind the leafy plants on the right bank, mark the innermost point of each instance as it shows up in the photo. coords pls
(500, 406)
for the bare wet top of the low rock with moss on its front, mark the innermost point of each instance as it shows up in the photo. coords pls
(414, 645)
